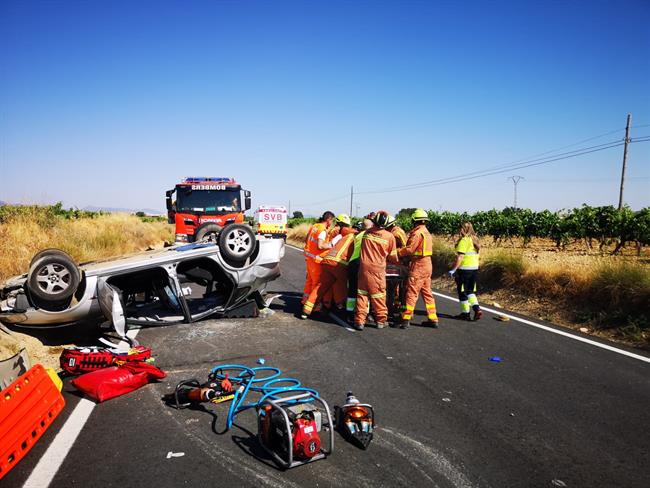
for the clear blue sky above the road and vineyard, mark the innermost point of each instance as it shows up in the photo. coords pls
(110, 103)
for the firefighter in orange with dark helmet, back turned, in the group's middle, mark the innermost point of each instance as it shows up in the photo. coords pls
(377, 248)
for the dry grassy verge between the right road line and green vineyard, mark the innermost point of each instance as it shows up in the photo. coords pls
(608, 295)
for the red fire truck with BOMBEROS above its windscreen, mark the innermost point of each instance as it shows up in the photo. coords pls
(204, 205)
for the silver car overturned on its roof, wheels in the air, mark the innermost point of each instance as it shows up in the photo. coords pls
(177, 284)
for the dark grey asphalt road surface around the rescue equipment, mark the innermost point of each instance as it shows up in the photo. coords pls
(554, 412)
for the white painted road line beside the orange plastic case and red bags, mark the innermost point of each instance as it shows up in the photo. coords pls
(51, 461)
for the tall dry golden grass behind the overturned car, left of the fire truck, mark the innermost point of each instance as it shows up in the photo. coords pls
(84, 239)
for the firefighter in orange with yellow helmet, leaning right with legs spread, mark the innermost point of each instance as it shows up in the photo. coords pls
(334, 270)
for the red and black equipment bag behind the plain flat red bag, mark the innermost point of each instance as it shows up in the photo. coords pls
(77, 360)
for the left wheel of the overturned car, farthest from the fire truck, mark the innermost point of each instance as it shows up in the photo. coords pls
(53, 278)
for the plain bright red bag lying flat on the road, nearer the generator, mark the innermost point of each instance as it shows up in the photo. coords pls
(107, 383)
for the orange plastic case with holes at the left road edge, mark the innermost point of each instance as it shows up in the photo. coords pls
(27, 408)
